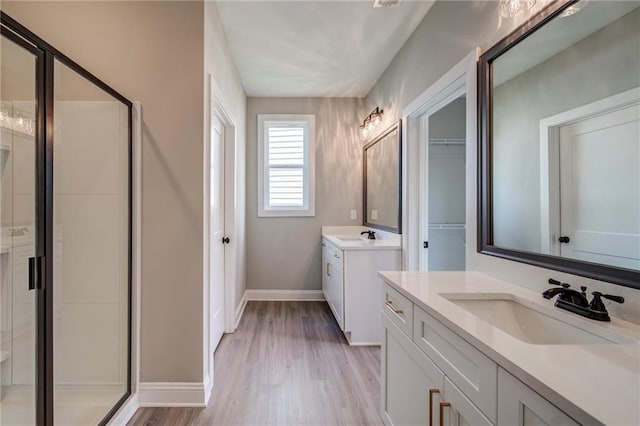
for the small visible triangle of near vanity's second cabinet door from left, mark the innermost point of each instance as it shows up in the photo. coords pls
(460, 411)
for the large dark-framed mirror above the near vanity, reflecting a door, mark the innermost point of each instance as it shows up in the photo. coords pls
(559, 127)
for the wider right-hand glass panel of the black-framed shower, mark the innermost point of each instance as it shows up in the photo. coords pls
(91, 249)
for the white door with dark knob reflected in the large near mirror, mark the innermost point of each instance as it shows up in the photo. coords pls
(600, 188)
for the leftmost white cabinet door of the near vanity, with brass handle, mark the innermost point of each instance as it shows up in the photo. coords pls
(407, 376)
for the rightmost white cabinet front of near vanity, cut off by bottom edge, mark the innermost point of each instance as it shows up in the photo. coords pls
(518, 405)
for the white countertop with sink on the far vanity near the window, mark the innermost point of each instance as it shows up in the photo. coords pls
(384, 241)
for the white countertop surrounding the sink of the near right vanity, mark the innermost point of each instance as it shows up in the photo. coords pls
(601, 380)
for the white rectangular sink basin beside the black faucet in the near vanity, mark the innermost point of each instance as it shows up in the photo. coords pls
(508, 313)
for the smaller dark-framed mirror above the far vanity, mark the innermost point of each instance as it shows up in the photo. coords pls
(382, 181)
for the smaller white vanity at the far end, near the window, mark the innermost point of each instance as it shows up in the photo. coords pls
(350, 262)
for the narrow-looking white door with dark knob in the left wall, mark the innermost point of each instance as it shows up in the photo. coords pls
(216, 232)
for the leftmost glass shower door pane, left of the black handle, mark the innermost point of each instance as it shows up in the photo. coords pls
(18, 233)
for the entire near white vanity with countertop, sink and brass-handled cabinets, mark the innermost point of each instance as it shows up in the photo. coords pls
(465, 348)
